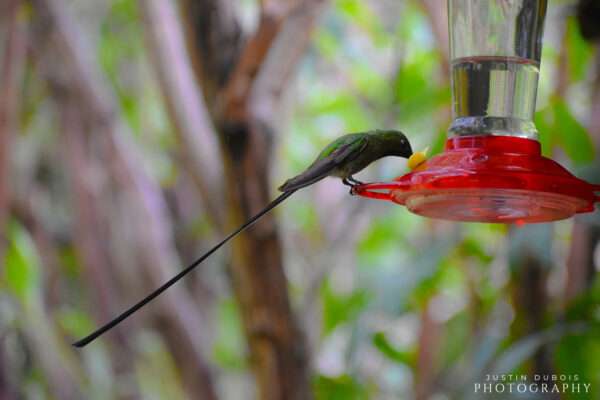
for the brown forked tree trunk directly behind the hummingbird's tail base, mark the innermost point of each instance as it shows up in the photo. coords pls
(242, 88)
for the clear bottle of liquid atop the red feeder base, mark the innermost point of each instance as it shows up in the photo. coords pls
(495, 52)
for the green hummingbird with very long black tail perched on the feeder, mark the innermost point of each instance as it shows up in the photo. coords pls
(342, 158)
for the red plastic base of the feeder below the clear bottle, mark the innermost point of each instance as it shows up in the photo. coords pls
(489, 179)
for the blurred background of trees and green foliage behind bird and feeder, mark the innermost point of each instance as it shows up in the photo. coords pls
(134, 134)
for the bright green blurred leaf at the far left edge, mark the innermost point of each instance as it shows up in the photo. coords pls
(21, 274)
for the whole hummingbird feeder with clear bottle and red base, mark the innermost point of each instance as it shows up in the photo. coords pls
(492, 169)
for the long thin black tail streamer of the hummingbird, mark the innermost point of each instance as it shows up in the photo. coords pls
(127, 313)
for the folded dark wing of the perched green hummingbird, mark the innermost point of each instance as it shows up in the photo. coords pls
(324, 166)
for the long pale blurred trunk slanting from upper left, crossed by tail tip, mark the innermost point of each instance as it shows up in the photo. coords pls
(147, 216)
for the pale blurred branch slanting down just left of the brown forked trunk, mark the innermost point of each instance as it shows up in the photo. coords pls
(185, 104)
